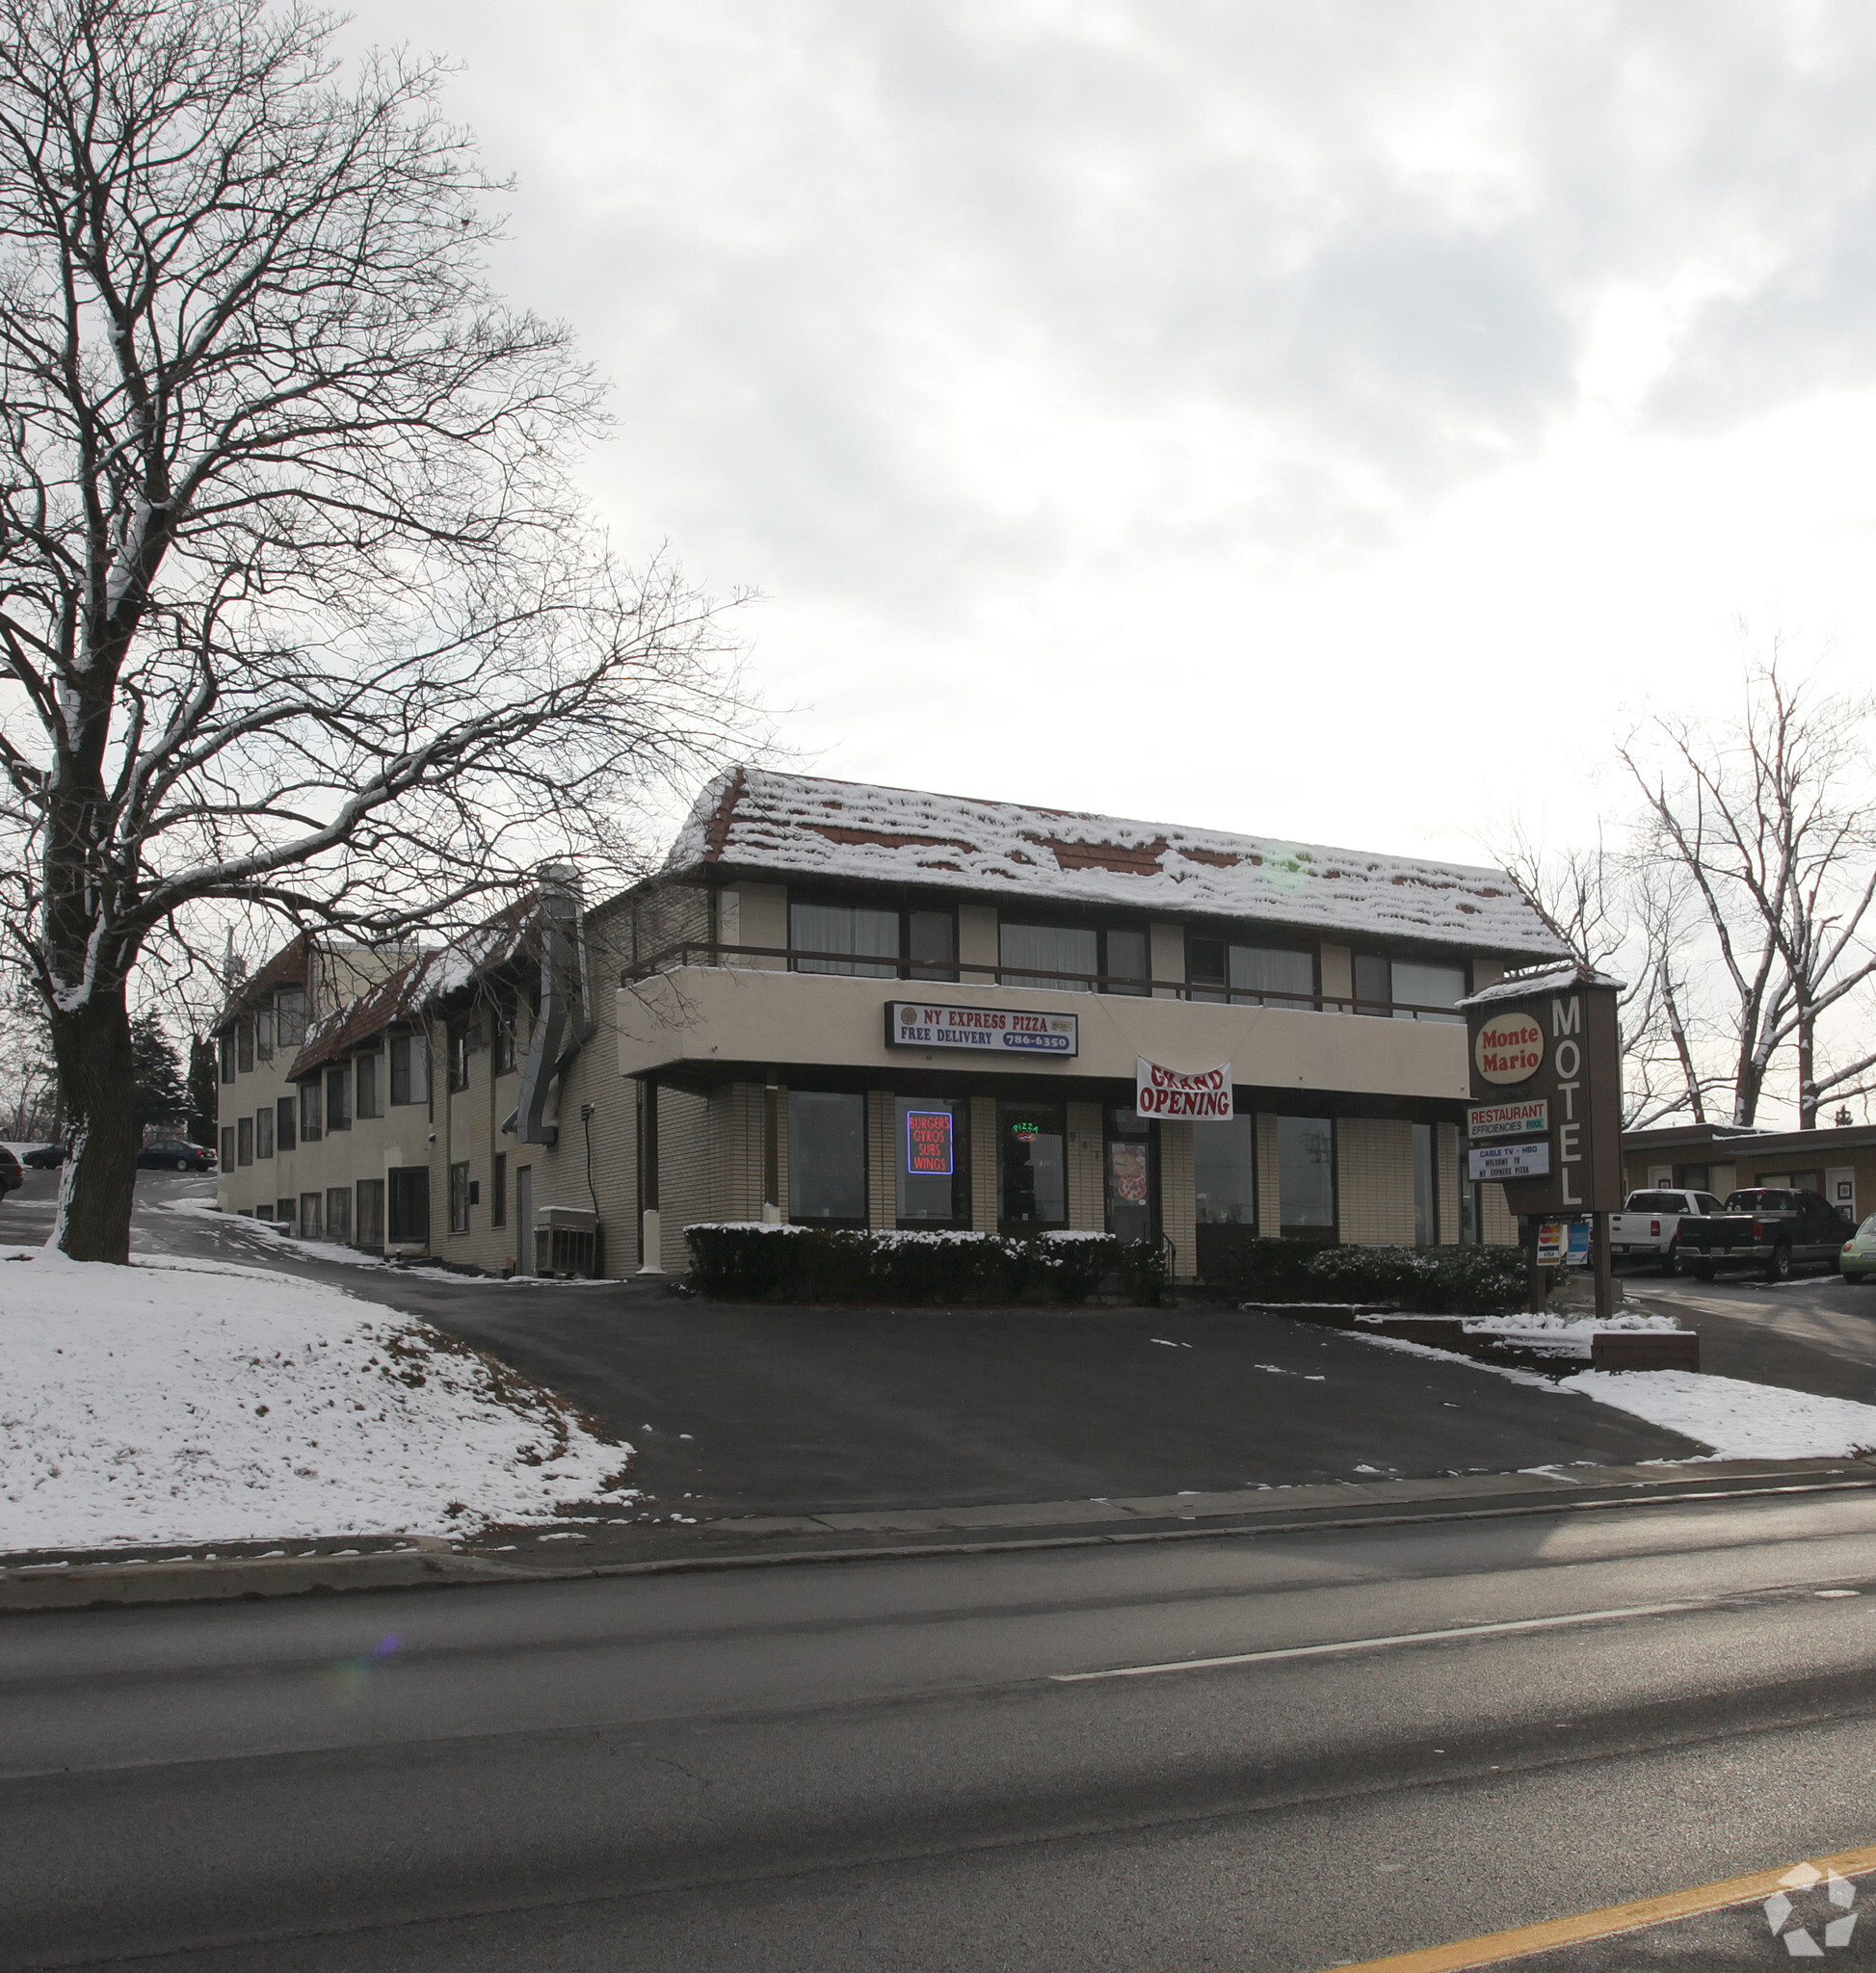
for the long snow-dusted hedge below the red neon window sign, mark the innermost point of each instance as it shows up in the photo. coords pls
(794, 1264)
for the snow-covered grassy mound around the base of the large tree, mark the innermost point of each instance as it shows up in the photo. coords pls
(200, 1402)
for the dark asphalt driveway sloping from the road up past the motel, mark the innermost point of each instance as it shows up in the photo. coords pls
(812, 1410)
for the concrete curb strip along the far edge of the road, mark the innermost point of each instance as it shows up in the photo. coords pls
(1335, 1506)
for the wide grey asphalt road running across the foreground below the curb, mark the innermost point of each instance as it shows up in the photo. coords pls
(899, 1765)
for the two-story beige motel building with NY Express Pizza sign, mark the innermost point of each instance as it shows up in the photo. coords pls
(865, 1007)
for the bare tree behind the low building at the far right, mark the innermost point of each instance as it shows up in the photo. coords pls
(1770, 832)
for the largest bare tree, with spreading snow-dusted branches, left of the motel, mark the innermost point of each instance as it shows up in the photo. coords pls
(299, 605)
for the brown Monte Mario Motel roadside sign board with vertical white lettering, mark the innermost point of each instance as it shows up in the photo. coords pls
(1548, 1092)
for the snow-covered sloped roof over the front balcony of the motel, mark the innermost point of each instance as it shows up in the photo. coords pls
(796, 826)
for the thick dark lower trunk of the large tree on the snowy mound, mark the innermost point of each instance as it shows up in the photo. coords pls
(98, 1086)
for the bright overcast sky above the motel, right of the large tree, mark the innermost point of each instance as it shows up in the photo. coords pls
(1333, 421)
